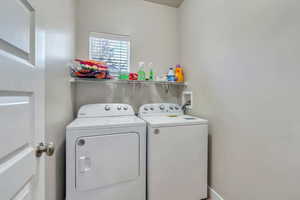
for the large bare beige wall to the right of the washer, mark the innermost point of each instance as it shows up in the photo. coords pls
(242, 62)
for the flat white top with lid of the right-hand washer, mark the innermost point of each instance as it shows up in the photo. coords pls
(174, 120)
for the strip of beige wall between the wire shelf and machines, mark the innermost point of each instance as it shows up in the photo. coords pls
(132, 94)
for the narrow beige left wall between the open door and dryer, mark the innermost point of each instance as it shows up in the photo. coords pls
(59, 20)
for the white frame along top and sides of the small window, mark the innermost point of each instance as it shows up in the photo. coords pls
(111, 36)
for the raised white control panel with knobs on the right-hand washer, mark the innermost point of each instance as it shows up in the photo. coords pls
(160, 109)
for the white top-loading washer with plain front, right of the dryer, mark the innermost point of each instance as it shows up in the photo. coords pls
(176, 153)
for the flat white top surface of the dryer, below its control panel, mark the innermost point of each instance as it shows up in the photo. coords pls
(105, 122)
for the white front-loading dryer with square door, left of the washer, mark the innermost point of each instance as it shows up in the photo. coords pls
(106, 154)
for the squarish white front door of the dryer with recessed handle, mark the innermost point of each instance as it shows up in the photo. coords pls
(106, 160)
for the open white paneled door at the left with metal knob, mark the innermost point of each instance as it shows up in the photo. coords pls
(21, 101)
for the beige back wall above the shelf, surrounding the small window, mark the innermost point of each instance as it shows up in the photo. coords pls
(152, 27)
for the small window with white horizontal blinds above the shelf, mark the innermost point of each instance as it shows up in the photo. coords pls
(112, 49)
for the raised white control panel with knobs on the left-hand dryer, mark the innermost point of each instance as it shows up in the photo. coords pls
(105, 110)
